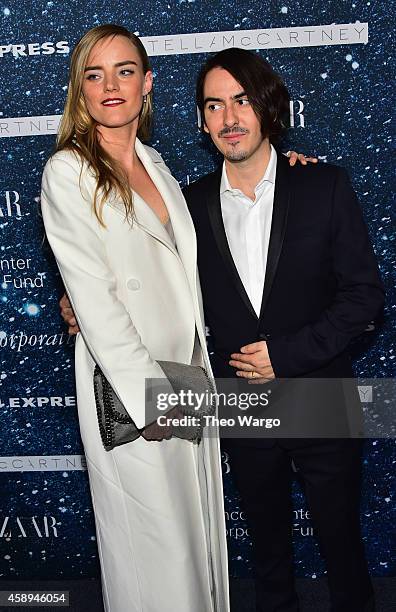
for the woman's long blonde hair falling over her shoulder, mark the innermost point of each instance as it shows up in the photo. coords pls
(78, 130)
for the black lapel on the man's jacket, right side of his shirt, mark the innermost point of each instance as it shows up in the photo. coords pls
(278, 226)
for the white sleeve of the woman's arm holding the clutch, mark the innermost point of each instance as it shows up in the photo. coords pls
(76, 240)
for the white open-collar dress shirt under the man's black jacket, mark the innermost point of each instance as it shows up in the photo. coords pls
(248, 226)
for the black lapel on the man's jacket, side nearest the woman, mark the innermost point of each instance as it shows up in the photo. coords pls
(216, 220)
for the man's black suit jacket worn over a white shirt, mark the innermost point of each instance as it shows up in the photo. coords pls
(322, 287)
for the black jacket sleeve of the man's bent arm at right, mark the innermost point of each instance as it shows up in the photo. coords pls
(358, 298)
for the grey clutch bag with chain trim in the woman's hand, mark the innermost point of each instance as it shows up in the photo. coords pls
(116, 426)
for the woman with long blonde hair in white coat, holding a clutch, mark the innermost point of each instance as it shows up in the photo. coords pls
(125, 245)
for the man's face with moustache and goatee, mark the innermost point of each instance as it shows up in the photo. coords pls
(229, 117)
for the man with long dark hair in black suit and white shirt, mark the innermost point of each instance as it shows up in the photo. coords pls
(289, 278)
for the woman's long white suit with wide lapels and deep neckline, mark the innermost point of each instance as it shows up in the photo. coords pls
(158, 505)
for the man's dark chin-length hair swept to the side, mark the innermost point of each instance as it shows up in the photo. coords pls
(264, 88)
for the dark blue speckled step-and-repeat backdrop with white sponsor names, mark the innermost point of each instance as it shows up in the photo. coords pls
(334, 57)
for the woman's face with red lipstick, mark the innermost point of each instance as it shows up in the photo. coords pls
(114, 83)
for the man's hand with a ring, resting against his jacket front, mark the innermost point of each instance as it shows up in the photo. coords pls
(253, 363)
